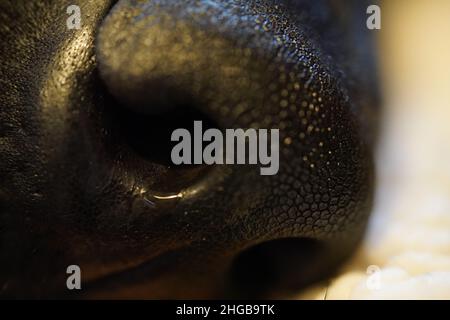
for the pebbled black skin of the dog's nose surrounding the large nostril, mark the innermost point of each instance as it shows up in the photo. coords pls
(89, 199)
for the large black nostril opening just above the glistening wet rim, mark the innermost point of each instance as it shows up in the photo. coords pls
(141, 142)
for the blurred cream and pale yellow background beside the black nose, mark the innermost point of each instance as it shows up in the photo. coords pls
(406, 254)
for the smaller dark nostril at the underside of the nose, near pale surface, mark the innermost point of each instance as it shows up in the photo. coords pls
(279, 266)
